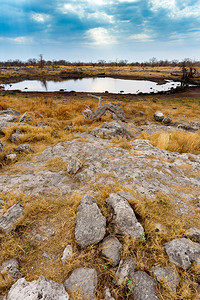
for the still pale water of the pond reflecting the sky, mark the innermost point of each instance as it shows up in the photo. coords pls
(96, 85)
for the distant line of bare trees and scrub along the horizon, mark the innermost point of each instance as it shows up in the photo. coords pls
(153, 62)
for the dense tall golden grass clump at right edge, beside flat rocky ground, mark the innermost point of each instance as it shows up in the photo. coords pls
(177, 141)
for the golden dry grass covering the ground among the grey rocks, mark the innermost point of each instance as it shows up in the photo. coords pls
(60, 212)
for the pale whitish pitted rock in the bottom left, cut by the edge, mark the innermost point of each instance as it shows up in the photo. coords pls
(42, 288)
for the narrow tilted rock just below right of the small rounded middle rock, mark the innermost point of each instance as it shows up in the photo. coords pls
(125, 271)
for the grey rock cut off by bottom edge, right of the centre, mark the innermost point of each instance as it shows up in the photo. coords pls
(144, 287)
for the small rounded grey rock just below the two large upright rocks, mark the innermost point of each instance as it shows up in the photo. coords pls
(111, 249)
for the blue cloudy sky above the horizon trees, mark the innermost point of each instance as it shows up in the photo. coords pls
(93, 30)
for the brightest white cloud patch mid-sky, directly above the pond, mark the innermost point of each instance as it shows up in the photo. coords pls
(100, 36)
